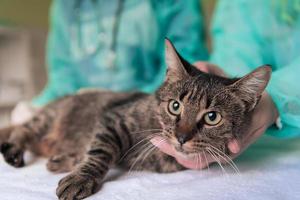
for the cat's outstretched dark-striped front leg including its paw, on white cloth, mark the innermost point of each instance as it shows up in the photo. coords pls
(86, 179)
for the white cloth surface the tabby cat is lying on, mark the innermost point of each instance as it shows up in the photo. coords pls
(270, 169)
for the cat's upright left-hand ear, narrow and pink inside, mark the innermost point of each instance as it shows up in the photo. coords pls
(175, 67)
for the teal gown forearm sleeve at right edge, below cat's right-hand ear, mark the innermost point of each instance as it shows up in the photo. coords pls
(285, 92)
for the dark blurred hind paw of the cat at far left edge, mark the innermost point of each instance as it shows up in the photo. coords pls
(12, 154)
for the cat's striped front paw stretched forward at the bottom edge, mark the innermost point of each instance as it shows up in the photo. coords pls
(76, 186)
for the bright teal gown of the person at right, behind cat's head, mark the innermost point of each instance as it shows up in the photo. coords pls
(248, 34)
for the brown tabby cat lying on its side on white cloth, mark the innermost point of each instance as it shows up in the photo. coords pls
(92, 131)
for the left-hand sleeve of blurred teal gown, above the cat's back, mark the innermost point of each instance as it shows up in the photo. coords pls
(61, 78)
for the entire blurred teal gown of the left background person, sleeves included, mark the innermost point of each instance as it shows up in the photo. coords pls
(80, 38)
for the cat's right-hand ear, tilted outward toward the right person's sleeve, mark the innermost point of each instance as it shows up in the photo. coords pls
(250, 87)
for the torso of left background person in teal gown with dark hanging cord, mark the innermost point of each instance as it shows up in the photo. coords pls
(113, 45)
